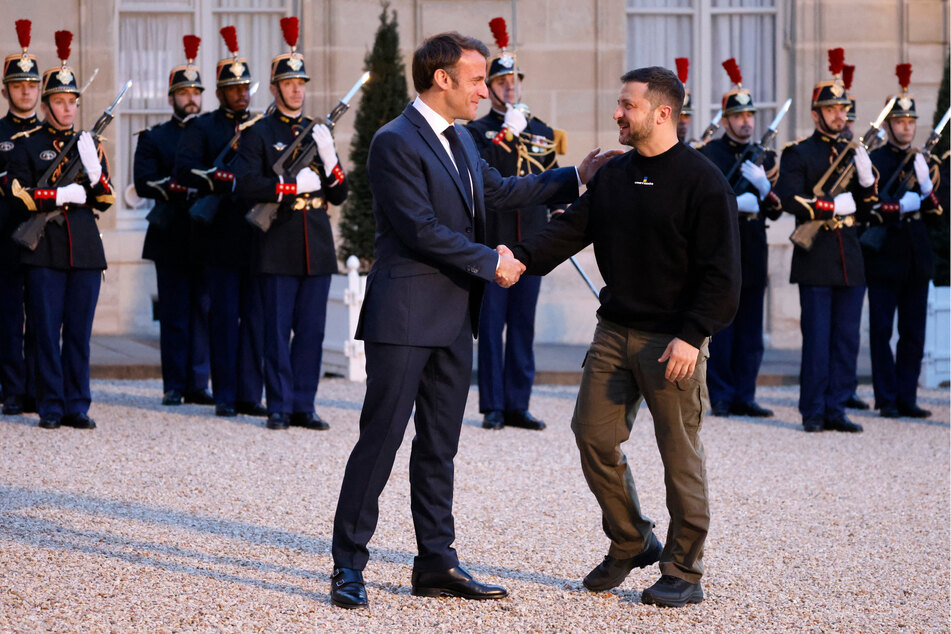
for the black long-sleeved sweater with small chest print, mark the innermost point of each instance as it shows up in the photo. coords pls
(666, 240)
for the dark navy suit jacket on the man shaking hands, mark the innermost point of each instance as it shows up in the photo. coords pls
(431, 263)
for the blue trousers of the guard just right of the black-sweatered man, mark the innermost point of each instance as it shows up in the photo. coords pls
(736, 352)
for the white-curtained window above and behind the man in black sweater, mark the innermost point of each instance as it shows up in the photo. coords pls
(709, 32)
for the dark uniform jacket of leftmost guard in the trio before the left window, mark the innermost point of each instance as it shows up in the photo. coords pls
(152, 169)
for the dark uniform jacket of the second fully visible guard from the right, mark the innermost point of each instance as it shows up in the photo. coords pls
(836, 257)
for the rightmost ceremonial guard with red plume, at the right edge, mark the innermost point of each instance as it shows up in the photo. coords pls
(898, 259)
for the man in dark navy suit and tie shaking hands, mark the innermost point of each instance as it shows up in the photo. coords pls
(430, 193)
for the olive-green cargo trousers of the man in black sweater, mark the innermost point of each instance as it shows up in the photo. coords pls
(620, 371)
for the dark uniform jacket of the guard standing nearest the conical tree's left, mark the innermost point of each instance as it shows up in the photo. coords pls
(299, 241)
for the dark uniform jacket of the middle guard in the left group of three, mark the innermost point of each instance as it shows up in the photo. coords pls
(227, 242)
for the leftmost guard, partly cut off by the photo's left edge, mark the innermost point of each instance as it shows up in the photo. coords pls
(21, 89)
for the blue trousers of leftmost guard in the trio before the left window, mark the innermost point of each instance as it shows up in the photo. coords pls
(183, 328)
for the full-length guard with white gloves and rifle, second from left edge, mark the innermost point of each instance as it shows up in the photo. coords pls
(64, 269)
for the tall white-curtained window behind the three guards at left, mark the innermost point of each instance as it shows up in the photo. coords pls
(150, 44)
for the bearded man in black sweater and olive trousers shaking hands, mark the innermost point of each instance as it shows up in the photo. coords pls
(663, 222)
